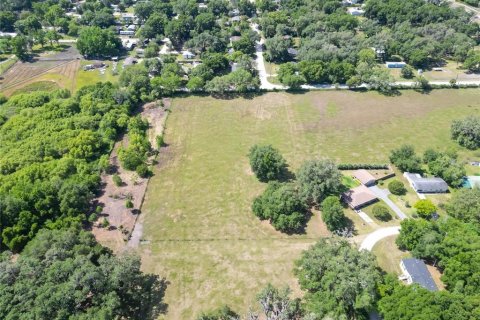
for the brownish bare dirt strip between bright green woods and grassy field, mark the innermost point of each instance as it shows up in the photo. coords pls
(113, 198)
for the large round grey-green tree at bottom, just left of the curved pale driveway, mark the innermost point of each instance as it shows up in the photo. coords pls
(339, 280)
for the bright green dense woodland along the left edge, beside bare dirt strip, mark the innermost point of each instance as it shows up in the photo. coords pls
(52, 150)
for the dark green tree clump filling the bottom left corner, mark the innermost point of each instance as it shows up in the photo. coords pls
(65, 274)
